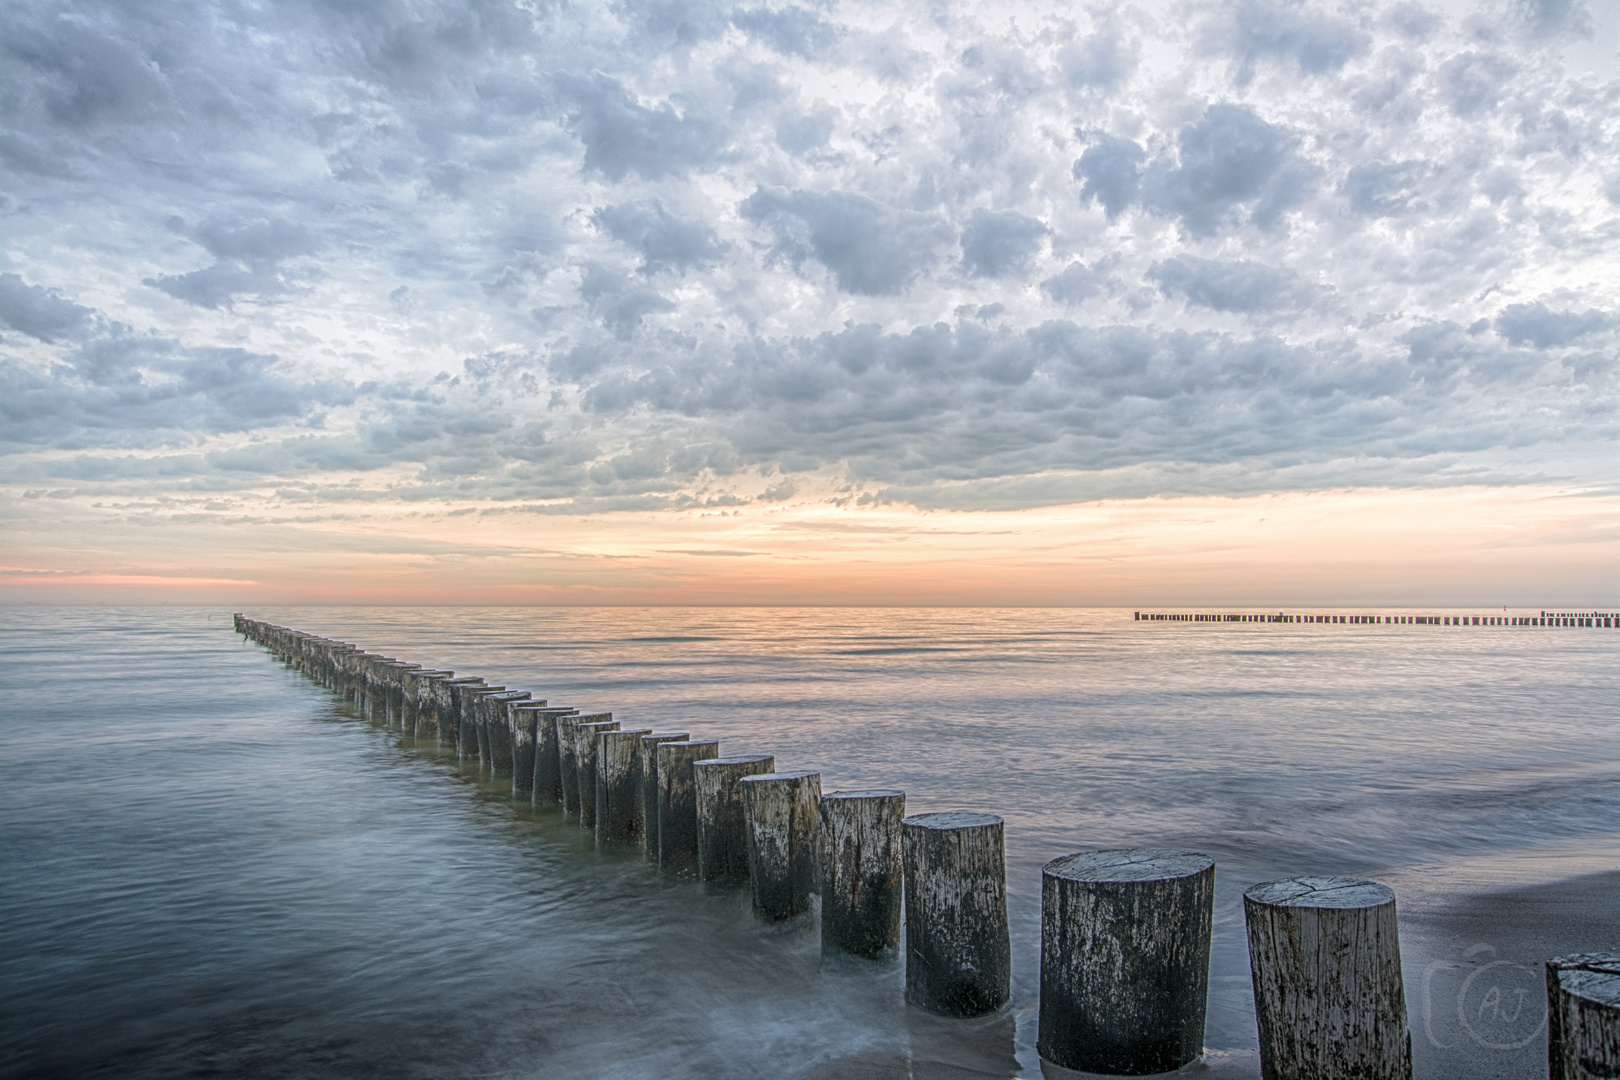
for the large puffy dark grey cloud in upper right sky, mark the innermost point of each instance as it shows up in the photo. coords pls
(1229, 161)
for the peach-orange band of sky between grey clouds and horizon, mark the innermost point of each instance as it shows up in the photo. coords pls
(1467, 546)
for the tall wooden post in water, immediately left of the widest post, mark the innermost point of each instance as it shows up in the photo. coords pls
(958, 946)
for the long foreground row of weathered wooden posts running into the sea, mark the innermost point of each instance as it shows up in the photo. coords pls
(1125, 933)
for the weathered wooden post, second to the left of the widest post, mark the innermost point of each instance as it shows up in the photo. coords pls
(861, 872)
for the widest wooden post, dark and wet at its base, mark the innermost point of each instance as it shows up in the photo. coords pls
(1125, 959)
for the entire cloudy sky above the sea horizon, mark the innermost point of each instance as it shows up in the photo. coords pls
(1238, 304)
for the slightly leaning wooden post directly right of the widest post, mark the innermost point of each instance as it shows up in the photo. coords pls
(1326, 961)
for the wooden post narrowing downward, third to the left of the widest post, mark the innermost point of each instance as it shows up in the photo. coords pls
(785, 838)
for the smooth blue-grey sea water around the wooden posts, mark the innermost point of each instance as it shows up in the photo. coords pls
(211, 867)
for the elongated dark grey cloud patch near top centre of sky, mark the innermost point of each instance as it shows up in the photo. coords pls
(872, 249)
